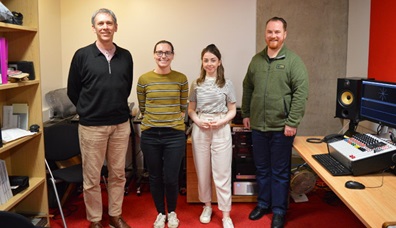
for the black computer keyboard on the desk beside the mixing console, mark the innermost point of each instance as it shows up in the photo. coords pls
(332, 165)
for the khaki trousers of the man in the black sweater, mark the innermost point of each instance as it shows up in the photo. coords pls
(98, 143)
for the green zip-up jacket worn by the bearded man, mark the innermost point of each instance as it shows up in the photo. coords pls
(275, 91)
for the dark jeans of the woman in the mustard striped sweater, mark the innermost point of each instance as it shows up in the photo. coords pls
(163, 150)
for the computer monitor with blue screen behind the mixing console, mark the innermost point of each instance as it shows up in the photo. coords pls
(378, 102)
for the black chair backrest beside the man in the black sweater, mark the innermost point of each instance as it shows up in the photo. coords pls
(61, 141)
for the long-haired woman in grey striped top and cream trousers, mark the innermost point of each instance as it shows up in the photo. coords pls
(212, 105)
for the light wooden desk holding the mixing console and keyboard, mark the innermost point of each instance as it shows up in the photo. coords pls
(373, 206)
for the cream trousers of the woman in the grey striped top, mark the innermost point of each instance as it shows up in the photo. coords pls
(212, 151)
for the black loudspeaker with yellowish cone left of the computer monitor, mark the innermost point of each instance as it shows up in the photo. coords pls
(348, 98)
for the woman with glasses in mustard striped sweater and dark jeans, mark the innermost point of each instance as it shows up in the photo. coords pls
(162, 97)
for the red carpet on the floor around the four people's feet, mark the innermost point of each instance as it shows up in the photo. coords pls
(323, 210)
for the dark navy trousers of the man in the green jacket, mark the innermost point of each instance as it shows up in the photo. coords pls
(272, 157)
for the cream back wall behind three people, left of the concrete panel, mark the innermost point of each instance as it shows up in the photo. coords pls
(189, 25)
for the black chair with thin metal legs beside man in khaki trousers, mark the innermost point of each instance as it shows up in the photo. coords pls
(61, 143)
